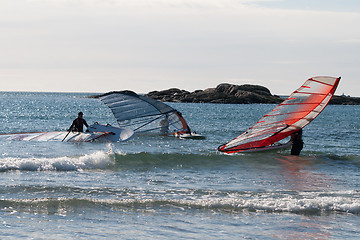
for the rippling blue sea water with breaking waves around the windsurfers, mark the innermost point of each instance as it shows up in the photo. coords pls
(167, 188)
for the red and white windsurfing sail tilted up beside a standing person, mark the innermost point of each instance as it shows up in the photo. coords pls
(298, 110)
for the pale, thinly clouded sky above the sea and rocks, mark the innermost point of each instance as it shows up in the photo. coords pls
(99, 46)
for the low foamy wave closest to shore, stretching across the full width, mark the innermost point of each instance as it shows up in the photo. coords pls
(309, 203)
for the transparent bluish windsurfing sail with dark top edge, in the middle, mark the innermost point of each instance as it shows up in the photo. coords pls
(144, 114)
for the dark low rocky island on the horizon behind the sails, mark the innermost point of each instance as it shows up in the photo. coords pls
(235, 94)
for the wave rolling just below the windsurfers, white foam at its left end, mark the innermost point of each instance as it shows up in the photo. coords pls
(117, 160)
